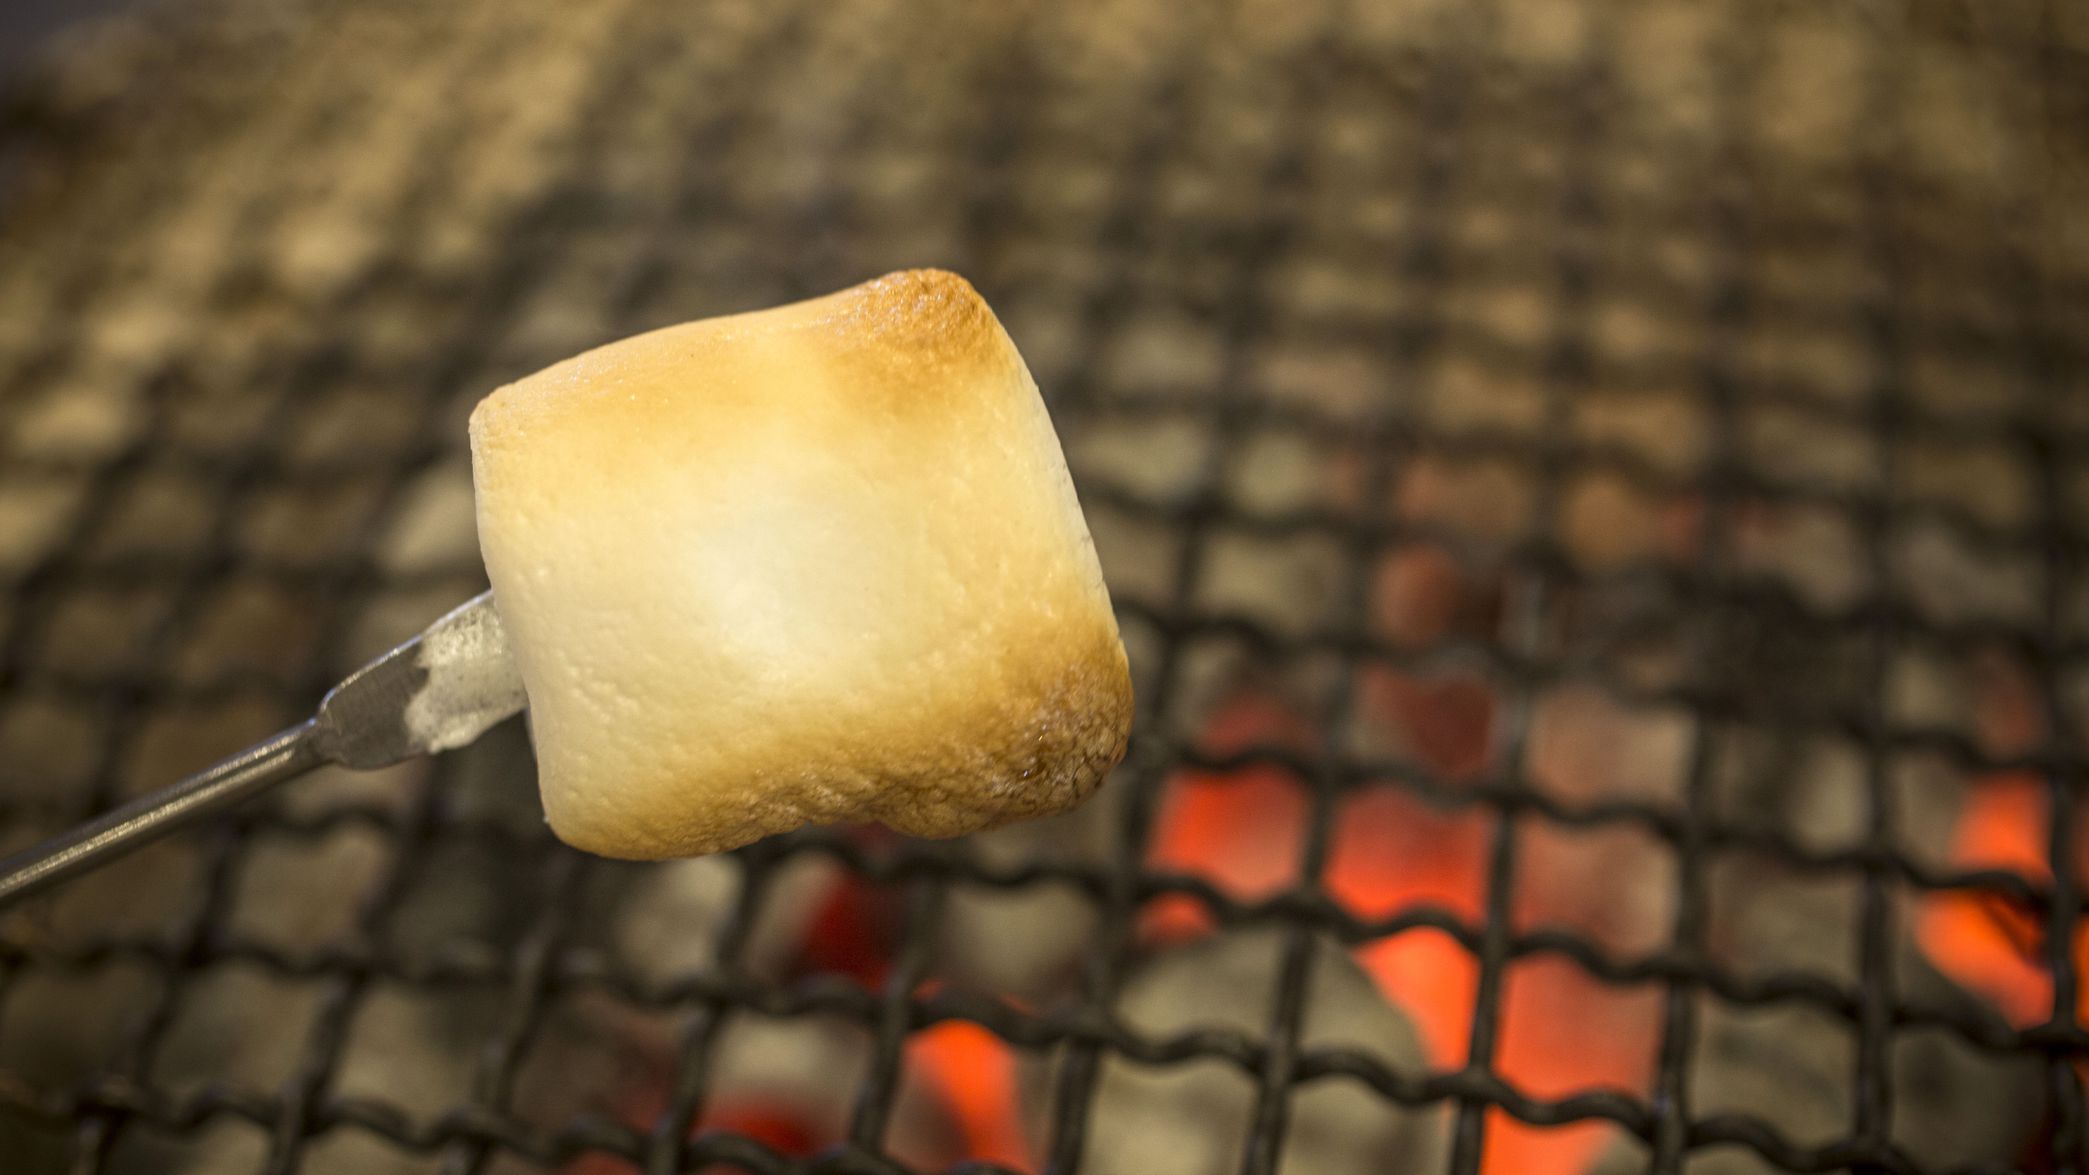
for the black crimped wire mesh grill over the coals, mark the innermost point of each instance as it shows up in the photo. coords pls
(260, 269)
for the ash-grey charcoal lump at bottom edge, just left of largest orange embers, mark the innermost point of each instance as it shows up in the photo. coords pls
(1165, 1120)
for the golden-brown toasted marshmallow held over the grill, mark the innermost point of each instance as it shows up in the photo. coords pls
(803, 566)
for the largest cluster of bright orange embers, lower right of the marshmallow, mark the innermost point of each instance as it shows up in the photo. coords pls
(1564, 1032)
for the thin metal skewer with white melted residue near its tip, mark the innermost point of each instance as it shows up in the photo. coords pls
(436, 693)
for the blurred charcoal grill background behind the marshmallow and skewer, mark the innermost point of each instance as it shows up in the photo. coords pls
(1597, 499)
